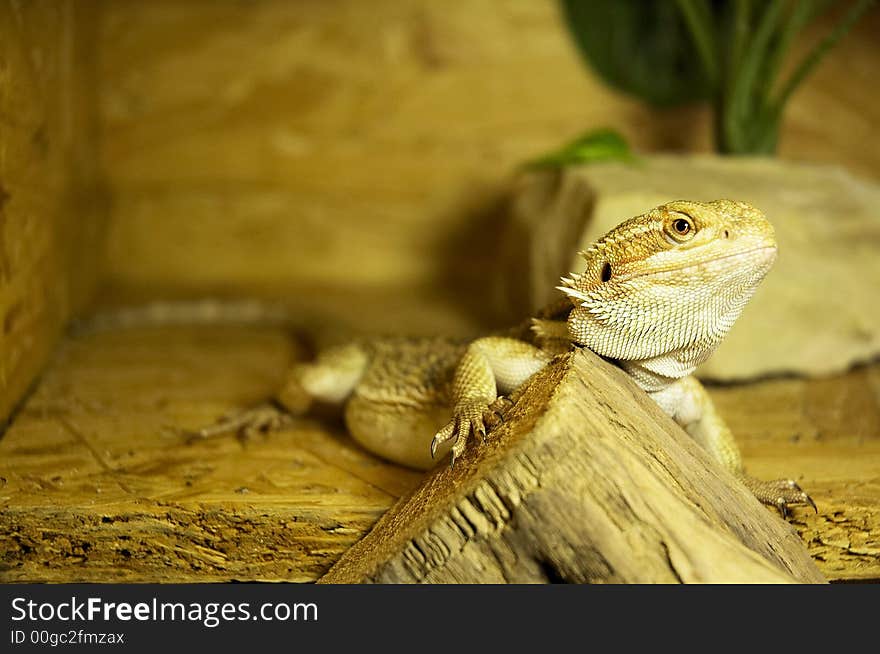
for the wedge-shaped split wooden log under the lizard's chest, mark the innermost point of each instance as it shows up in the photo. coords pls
(586, 481)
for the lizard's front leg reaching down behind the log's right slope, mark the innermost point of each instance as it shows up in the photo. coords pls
(688, 403)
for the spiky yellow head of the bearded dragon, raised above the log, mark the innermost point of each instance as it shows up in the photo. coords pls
(670, 282)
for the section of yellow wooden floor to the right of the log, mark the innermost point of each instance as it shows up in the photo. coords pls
(825, 433)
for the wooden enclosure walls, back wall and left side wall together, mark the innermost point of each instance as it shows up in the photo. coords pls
(324, 147)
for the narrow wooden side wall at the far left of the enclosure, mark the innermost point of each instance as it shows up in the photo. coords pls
(49, 195)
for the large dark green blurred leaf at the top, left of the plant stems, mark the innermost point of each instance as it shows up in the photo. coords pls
(642, 47)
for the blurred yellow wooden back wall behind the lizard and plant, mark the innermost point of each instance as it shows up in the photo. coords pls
(341, 143)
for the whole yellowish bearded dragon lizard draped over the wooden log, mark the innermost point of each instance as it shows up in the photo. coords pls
(657, 295)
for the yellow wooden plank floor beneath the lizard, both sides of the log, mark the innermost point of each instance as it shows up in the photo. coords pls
(96, 483)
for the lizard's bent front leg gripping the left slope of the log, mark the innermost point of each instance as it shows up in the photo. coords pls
(488, 366)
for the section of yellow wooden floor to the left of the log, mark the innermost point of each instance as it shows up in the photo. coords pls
(99, 483)
